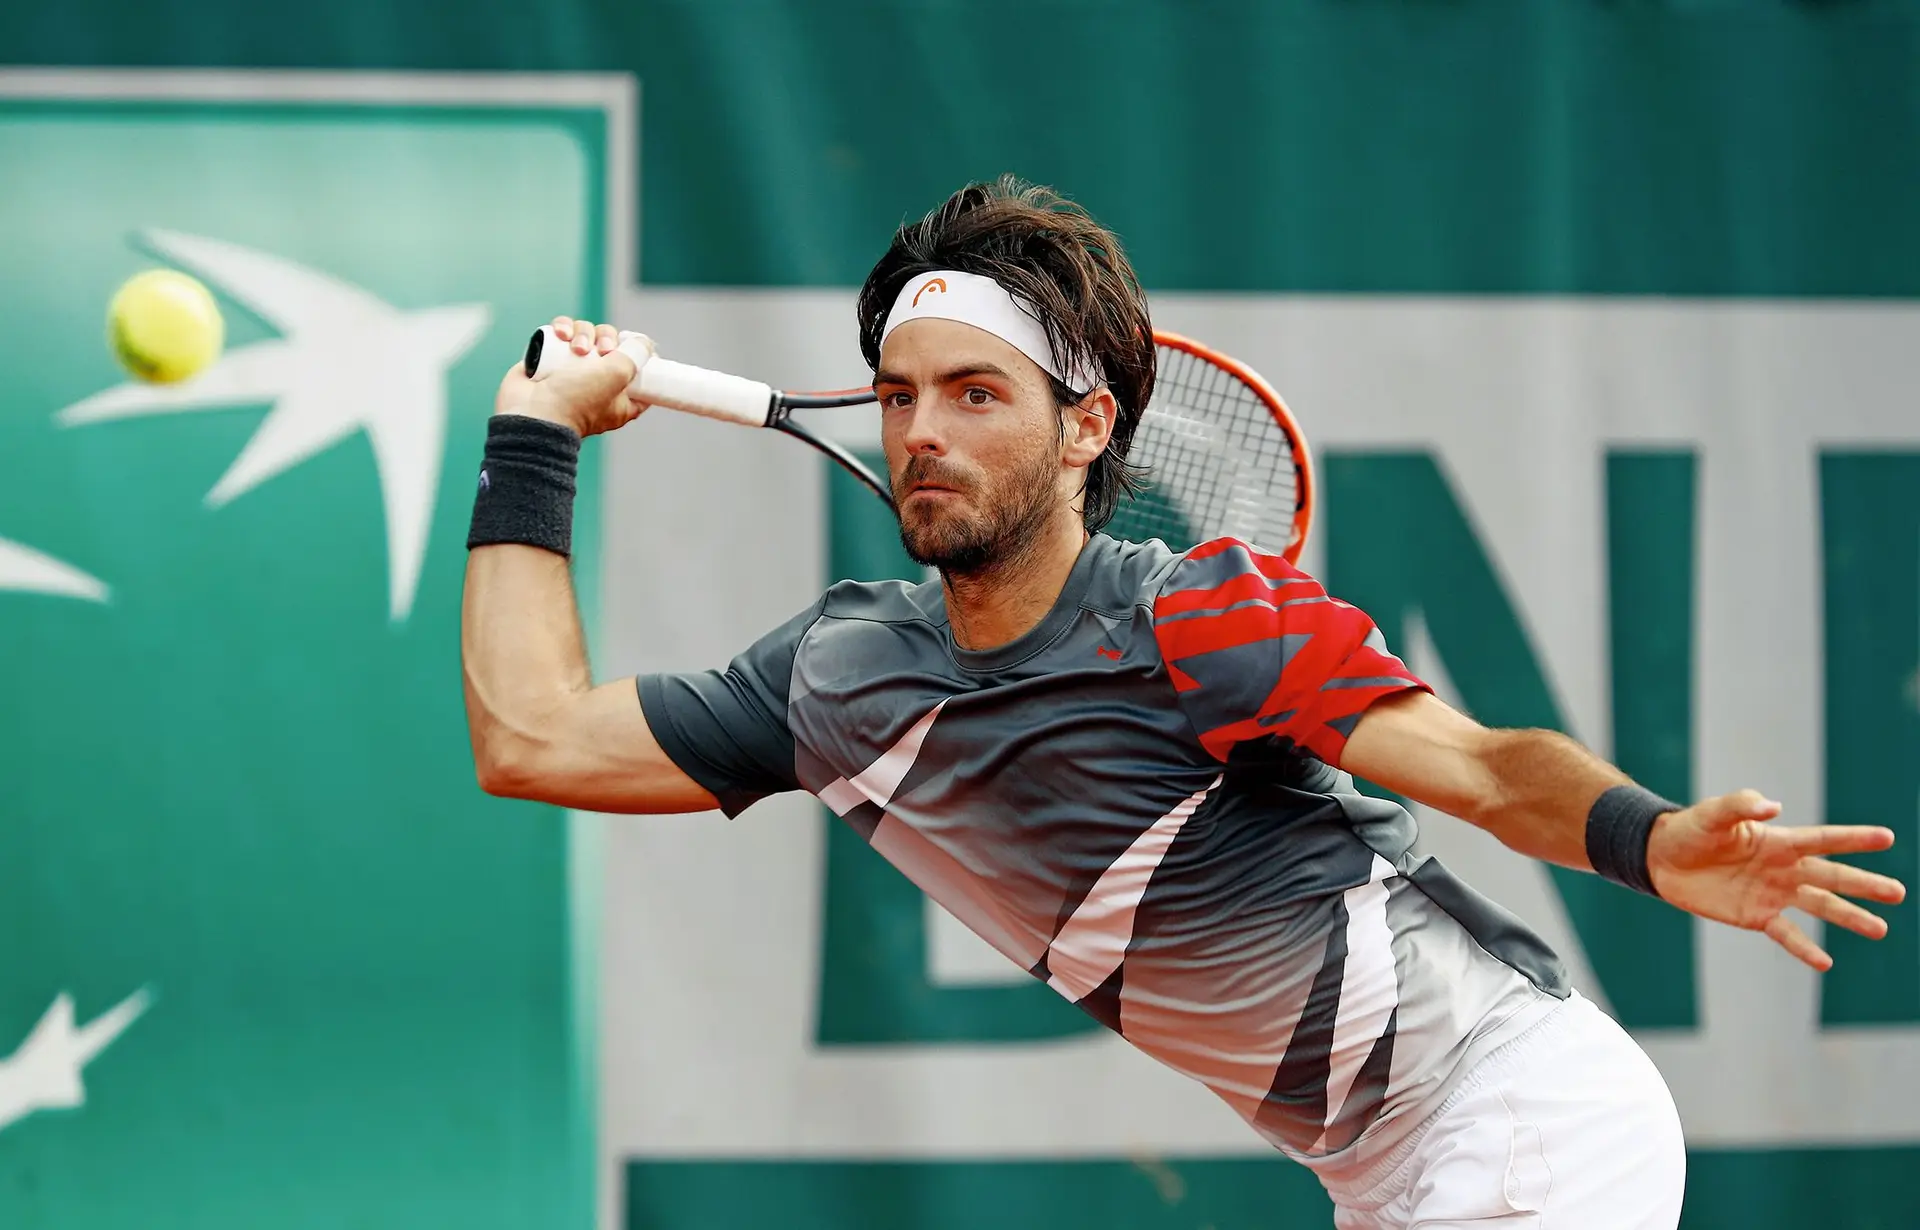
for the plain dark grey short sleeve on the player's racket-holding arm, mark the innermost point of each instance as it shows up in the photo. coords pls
(729, 728)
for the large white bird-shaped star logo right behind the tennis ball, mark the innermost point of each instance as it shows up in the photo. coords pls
(347, 364)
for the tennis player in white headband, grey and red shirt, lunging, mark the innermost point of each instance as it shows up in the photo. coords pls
(1132, 769)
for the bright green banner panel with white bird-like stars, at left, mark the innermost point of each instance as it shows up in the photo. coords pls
(272, 957)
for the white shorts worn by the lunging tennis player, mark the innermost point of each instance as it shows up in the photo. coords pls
(1568, 1127)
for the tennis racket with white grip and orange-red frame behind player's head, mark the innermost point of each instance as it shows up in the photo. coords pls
(1222, 452)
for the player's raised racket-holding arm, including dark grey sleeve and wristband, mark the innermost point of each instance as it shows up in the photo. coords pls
(540, 728)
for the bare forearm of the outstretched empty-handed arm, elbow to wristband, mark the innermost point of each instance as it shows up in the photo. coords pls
(1539, 793)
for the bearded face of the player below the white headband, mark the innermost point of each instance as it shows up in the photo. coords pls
(972, 438)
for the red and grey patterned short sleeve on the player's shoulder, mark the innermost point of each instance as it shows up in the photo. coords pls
(1259, 651)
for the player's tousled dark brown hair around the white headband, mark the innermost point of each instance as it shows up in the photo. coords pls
(1068, 270)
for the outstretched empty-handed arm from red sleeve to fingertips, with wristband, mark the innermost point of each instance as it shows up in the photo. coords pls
(1545, 795)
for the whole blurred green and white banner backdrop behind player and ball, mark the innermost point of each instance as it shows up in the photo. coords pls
(1600, 316)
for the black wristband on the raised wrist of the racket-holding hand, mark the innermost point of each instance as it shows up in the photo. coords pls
(527, 485)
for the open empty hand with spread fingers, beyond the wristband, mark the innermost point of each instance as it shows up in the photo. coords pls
(1723, 861)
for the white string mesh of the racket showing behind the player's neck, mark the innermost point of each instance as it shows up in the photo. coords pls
(1216, 461)
